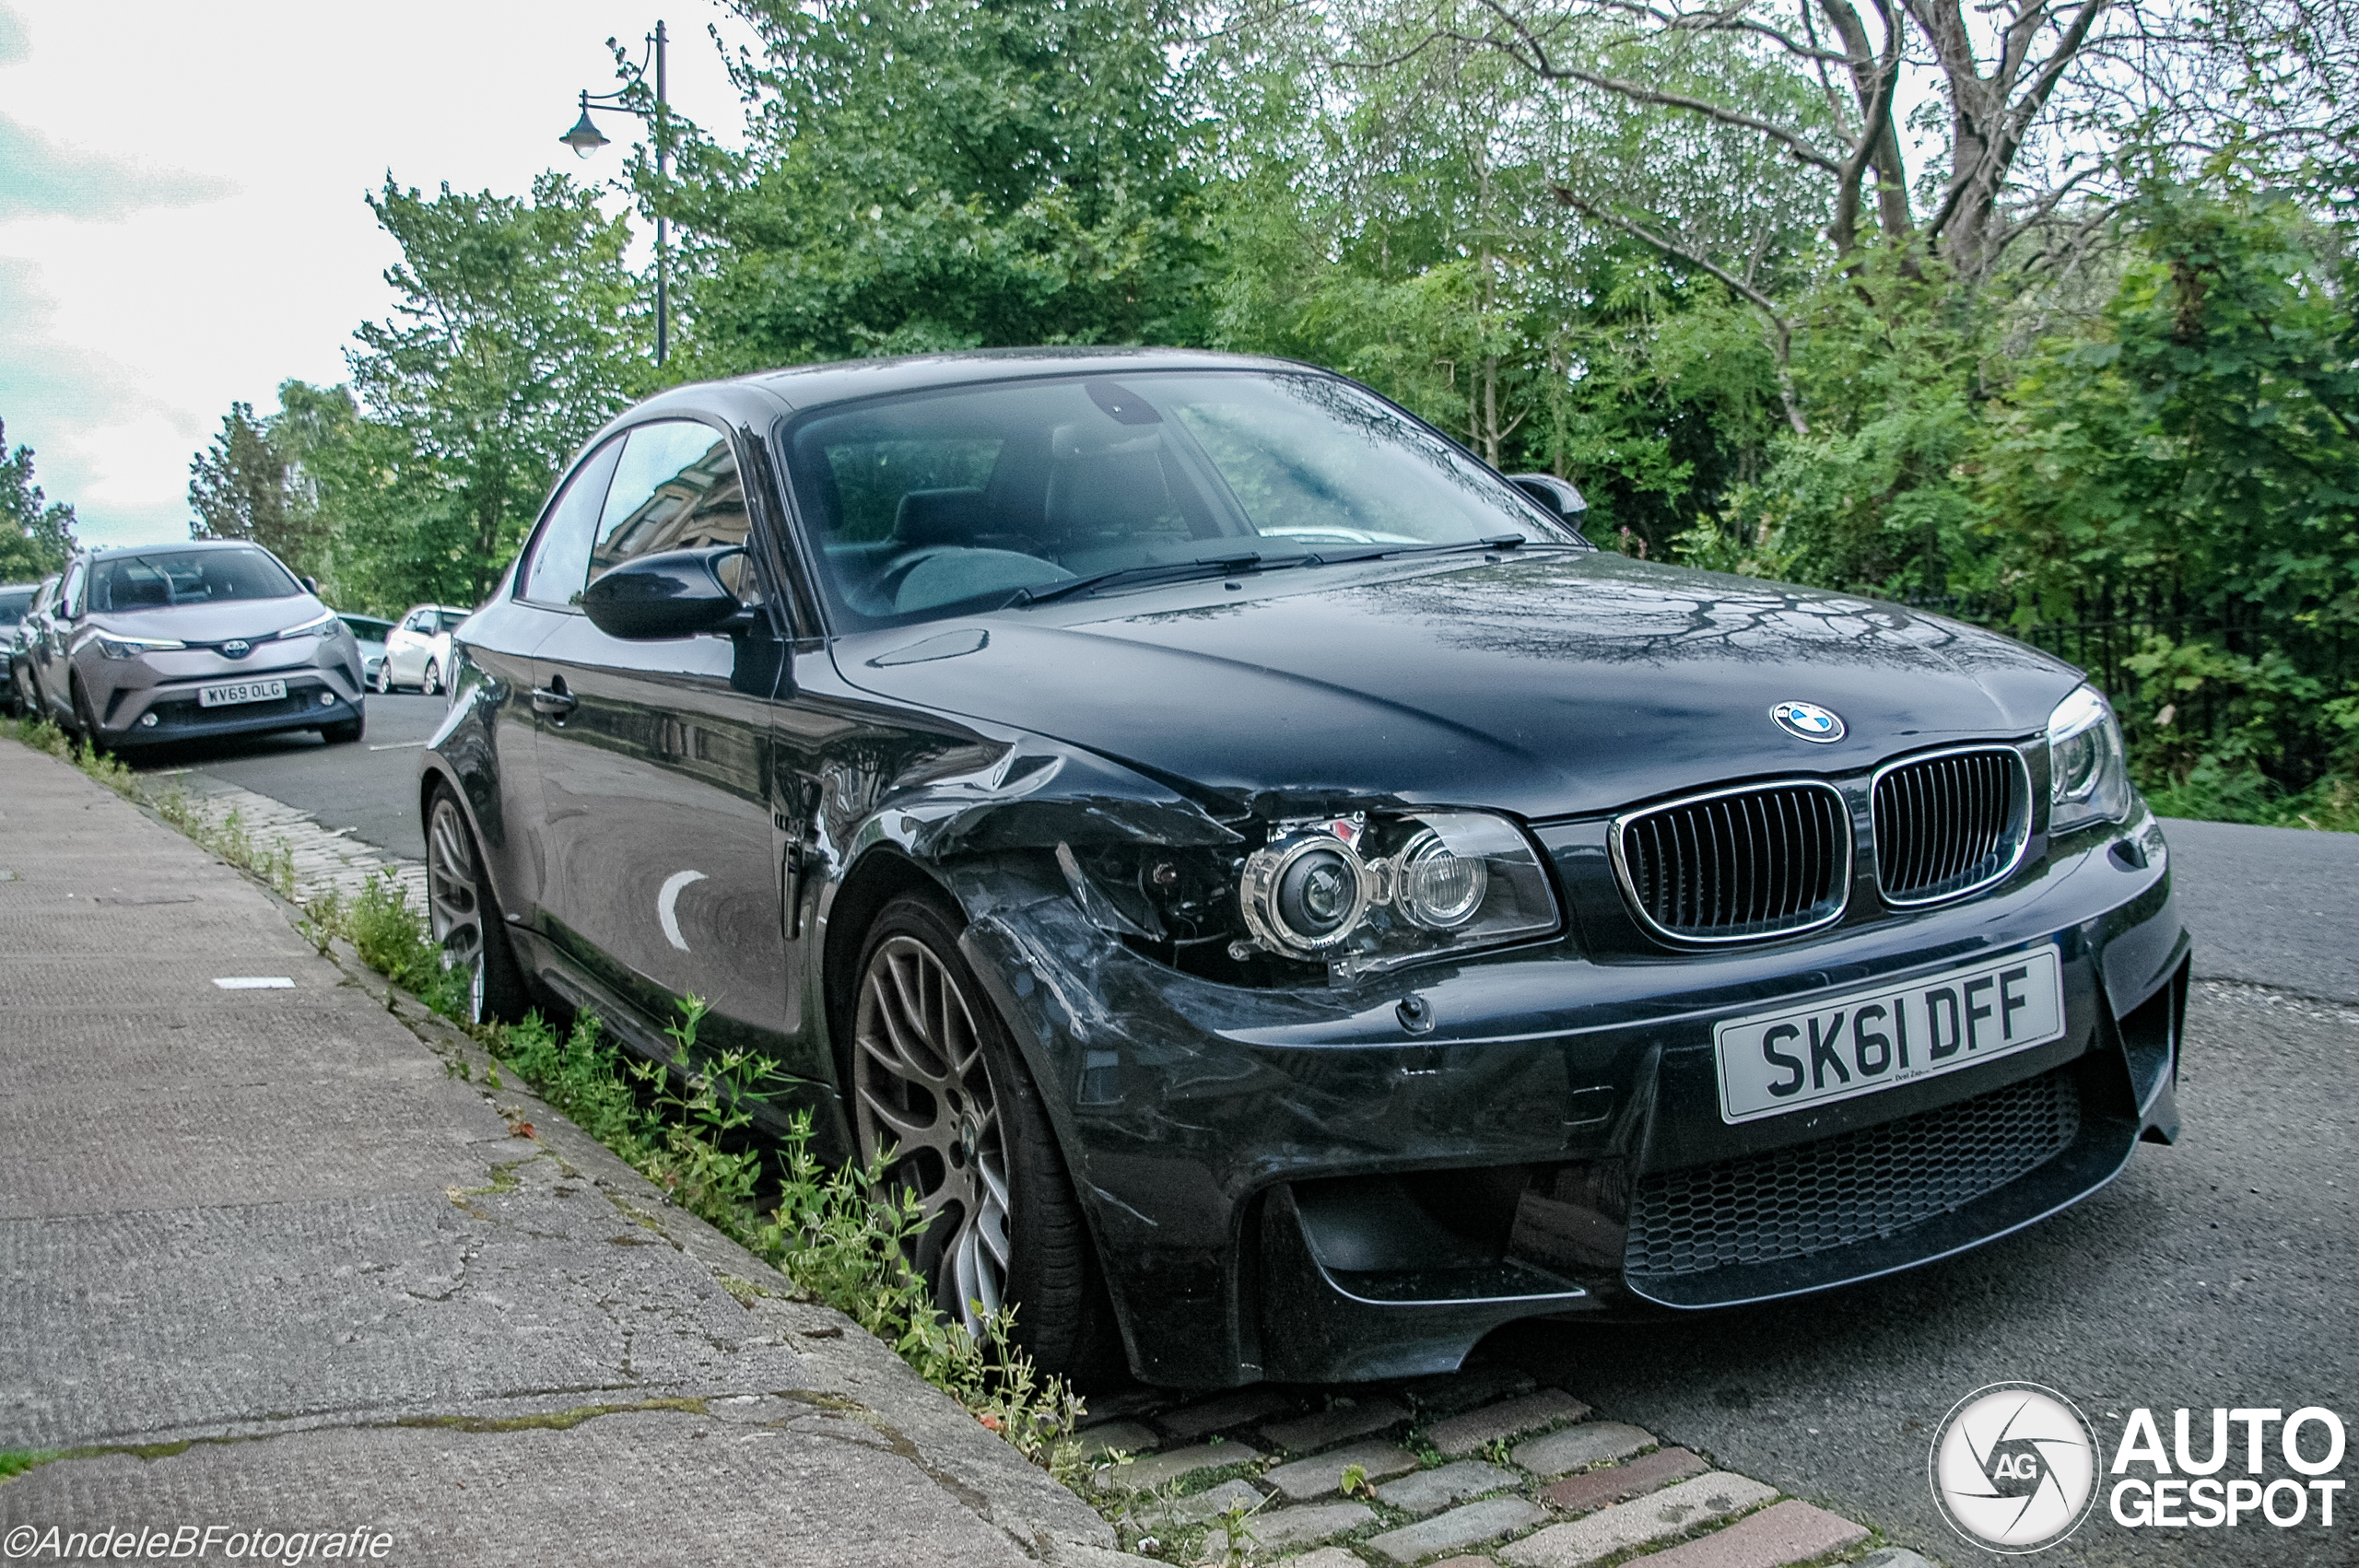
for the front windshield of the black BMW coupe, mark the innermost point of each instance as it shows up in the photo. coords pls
(954, 501)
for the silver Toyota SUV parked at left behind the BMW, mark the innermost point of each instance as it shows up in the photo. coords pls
(216, 638)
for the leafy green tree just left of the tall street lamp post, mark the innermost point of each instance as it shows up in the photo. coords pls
(518, 334)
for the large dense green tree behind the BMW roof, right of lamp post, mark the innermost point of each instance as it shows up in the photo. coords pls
(940, 176)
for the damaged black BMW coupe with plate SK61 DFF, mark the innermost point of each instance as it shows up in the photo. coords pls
(1287, 902)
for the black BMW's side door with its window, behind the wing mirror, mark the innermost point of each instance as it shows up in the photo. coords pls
(655, 767)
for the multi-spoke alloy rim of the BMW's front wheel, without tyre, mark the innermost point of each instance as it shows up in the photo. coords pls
(926, 1091)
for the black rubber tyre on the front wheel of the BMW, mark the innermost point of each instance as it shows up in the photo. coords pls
(1051, 1272)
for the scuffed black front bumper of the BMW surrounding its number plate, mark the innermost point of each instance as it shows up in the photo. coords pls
(1362, 1182)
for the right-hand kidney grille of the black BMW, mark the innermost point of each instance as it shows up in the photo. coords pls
(1950, 824)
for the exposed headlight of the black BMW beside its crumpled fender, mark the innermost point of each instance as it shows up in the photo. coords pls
(1374, 895)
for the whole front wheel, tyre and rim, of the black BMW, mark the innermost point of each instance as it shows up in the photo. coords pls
(940, 1083)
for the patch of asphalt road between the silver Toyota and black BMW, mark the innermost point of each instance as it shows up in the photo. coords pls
(369, 786)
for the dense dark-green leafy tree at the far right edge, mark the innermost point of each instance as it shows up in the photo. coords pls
(2190, 459)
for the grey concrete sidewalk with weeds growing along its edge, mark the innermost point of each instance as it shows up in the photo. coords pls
(294, 1277)
